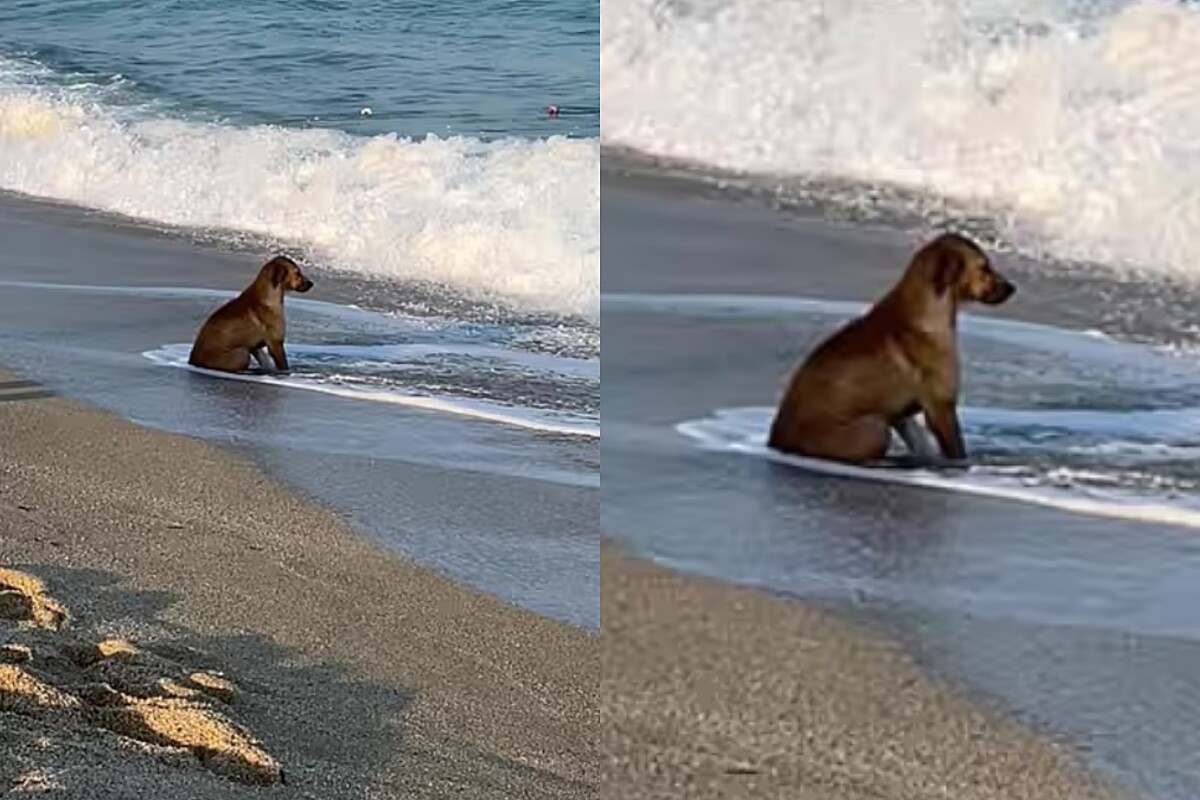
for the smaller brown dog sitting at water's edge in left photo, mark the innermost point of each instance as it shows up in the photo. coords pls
(242, 328)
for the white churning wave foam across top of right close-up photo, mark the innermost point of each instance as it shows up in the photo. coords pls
(1072, 123)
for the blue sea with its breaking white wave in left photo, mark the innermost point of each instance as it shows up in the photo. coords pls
(249, 121)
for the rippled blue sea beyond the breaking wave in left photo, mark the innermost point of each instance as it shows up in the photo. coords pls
(475, 68)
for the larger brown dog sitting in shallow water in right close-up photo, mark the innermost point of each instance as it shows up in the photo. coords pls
(901, 359)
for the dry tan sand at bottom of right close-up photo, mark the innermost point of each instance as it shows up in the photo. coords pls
(711, 691)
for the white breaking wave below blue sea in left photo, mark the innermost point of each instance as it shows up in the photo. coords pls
(515, 221)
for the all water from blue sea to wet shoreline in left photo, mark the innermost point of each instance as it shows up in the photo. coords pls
(154, 154)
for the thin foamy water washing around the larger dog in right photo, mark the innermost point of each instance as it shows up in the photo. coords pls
(1065, 419)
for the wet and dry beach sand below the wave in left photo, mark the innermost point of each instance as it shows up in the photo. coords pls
(217, 536)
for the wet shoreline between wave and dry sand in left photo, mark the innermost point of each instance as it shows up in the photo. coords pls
(80, 308)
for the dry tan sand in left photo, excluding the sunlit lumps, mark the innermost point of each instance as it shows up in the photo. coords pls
(363, 676)
